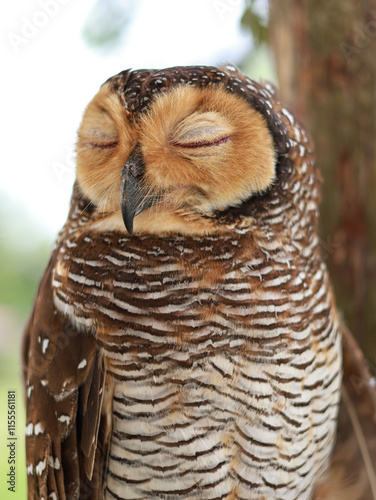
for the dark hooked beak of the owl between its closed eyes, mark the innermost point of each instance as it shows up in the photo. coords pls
(133, 199)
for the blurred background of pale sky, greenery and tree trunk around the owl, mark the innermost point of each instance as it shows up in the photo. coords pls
(56, 54)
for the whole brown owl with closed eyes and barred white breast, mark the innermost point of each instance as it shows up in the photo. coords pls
(184, 342)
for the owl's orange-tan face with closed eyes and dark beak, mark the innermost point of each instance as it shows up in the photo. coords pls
(191, 151)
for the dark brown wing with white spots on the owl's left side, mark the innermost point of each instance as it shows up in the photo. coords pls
(64, 381)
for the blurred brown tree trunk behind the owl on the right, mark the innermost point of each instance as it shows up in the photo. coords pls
(326, 63)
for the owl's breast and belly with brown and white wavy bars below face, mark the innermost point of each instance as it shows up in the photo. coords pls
(223, 354)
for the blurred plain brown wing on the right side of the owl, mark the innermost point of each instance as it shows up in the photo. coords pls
(353, 471)
